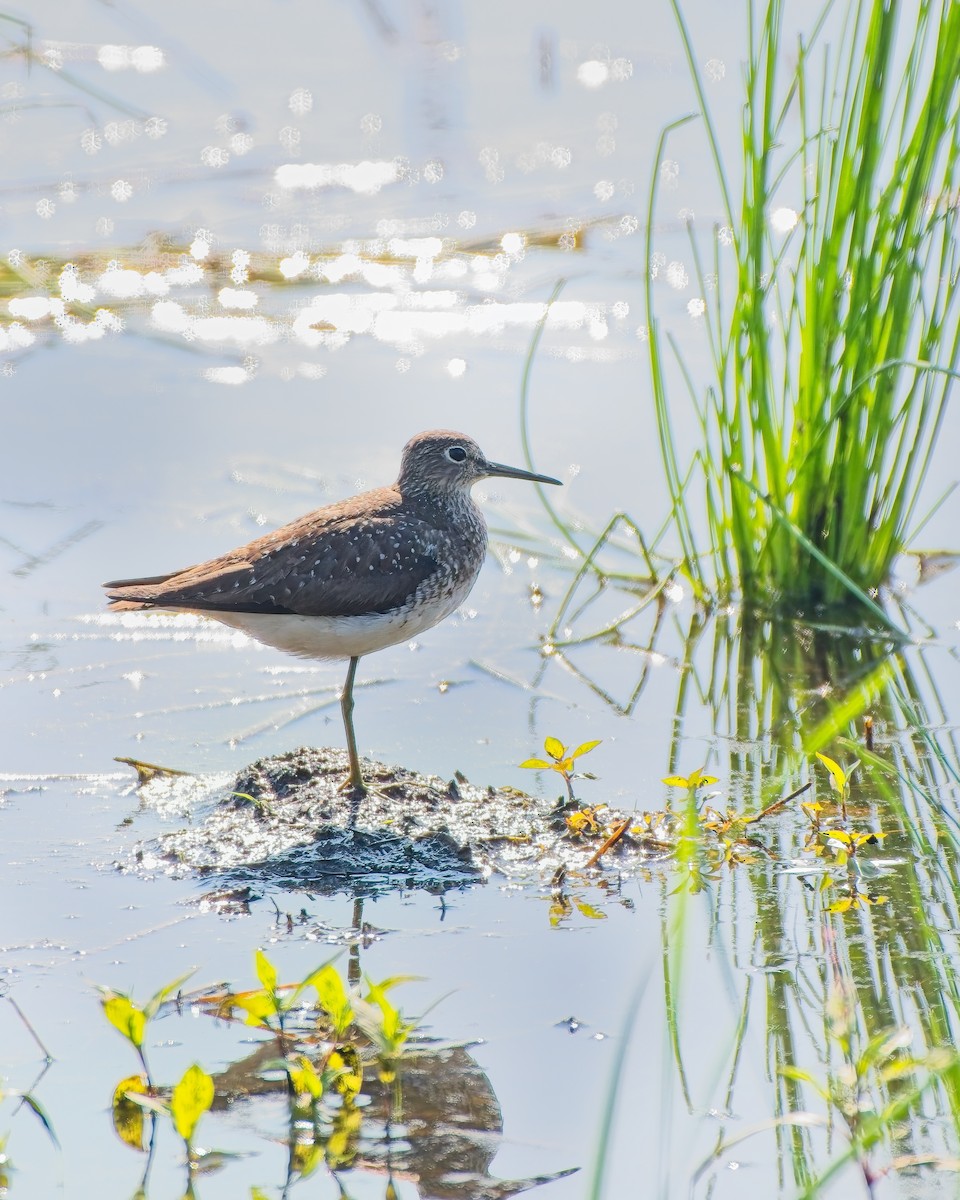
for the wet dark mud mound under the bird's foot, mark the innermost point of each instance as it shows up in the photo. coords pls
(285, 821)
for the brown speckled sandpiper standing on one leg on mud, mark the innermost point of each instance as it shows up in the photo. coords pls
(352, 578)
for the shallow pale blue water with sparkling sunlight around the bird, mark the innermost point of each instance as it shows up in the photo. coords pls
(166, 442)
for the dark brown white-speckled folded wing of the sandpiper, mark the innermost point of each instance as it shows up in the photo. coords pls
(343, 568)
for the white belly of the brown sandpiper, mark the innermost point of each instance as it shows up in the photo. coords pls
(339, 638)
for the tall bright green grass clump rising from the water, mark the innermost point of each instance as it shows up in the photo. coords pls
(833, 345)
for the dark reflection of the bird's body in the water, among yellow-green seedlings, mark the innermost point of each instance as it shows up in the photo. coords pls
(424, 1115)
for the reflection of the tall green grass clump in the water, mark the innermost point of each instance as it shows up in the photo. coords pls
(837, 953)
